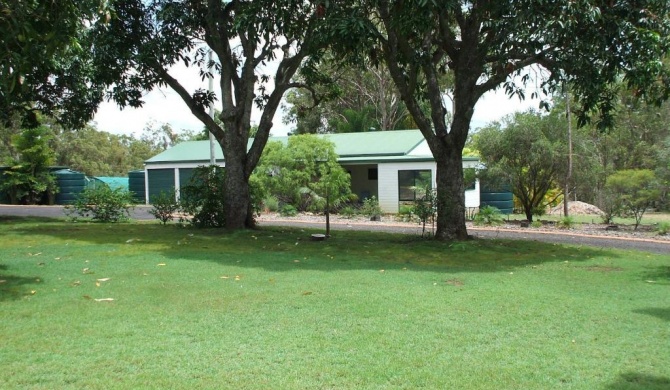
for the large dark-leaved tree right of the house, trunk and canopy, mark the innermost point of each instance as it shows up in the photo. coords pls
(509, 44)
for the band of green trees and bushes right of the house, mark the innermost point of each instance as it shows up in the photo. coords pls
(530, 151)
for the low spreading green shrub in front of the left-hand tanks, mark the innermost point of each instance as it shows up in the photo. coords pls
(102, 204)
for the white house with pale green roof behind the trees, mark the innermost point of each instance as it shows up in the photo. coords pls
(384, 164)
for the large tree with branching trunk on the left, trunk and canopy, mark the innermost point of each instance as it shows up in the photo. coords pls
(145, 38)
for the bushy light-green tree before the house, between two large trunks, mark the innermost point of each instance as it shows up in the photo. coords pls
(304, 173)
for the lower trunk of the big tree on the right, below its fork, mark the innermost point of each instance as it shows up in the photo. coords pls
(450, 197)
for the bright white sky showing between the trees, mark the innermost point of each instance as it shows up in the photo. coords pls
(165, 106)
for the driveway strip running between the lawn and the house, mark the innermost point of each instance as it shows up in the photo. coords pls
(594, 236)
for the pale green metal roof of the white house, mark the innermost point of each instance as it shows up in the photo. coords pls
(368, 145)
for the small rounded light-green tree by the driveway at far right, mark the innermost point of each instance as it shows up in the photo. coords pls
(635, 190)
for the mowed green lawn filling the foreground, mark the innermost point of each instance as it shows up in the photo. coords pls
(134, 306)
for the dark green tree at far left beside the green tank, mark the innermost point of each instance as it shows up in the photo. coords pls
(28, 178)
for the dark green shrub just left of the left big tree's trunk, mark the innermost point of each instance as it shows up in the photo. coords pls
(202, 198)
